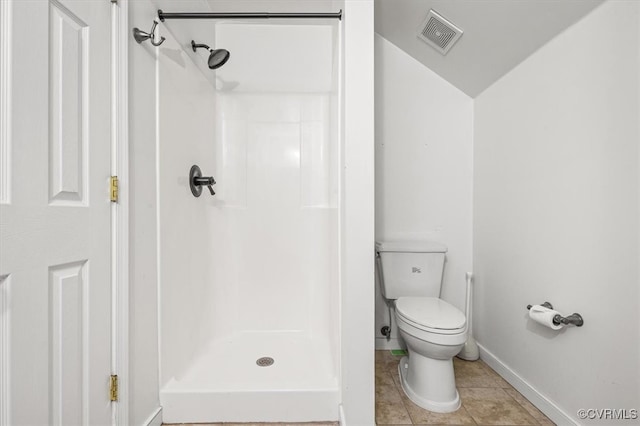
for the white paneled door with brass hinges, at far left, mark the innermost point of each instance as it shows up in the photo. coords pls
(55, 249)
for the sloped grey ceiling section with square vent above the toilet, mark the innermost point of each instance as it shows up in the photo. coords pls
(498, 34)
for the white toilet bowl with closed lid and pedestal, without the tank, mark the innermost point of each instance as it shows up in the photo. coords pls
(434, 332)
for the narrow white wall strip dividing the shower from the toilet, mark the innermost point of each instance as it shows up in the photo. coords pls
(357, 218)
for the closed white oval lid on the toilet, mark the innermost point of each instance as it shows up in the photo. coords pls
(430, 312)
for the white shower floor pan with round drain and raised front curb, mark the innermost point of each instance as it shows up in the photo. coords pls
(226, 384)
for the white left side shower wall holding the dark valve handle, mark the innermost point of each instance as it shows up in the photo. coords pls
(186, 137)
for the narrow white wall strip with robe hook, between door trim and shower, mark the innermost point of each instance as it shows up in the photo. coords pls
(143, 278)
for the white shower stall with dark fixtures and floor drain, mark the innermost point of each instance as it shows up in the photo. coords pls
(250, 278)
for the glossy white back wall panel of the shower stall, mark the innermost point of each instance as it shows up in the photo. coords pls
(276, 213)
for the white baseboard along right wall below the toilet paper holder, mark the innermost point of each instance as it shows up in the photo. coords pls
(543, 404)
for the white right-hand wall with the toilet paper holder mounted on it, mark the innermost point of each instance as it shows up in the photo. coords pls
(556, 214)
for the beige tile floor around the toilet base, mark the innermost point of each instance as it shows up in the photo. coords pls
(487, 399)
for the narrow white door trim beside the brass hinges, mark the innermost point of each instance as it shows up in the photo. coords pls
(120, 209)
